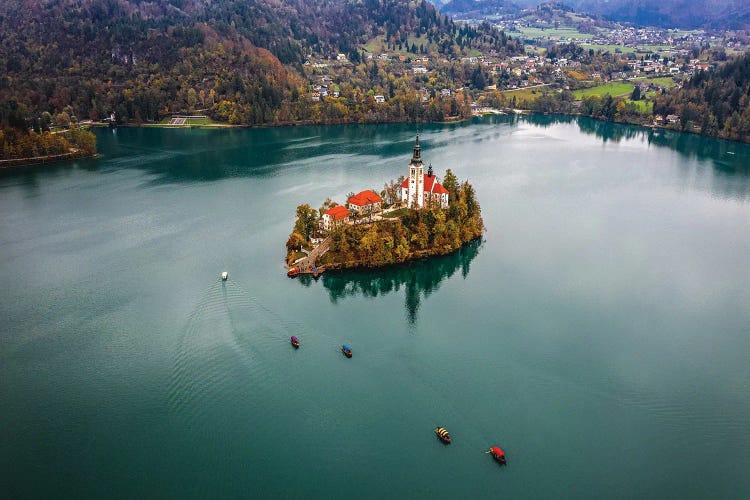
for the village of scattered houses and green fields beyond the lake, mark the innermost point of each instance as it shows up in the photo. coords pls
(584, 59)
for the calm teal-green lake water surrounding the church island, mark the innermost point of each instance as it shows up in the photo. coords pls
(600, 333)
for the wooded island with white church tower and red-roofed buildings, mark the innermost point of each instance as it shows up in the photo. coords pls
(414, 217)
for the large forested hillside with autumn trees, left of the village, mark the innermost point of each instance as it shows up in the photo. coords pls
(239, 61)
